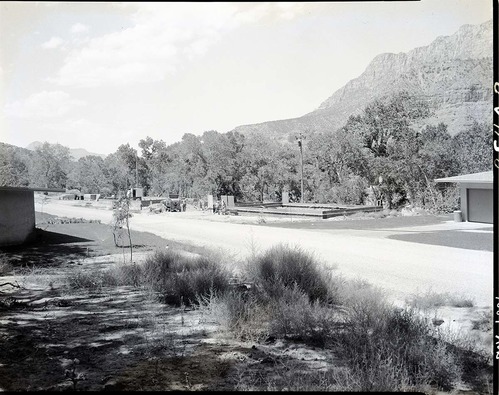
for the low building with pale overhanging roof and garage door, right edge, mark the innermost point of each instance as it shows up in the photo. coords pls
(477, 195)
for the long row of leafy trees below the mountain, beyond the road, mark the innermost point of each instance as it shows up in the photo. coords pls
(385, 153)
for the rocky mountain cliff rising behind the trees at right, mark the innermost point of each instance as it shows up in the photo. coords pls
(454, 74)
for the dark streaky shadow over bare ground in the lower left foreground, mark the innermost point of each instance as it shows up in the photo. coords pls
(107, 331)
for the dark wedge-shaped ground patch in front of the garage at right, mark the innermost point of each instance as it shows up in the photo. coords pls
(451, 238)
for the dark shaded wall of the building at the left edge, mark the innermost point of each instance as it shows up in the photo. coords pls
(17, 216)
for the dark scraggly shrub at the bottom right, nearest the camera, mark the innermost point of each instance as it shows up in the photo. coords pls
(395, 350)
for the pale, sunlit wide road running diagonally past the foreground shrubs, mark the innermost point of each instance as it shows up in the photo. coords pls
(400, 267)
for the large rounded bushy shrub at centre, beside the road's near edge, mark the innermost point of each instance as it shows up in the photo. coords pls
(291, 295)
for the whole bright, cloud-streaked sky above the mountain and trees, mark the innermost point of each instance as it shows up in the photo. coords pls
(96, 75)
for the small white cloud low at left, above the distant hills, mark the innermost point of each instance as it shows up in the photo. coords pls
(43, 105)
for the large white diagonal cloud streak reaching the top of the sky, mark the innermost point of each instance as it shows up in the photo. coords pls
(163, 35)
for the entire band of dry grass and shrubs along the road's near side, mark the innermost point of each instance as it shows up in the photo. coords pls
(291, 296)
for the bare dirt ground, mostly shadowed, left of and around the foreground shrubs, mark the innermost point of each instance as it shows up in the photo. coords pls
(121, 338)
